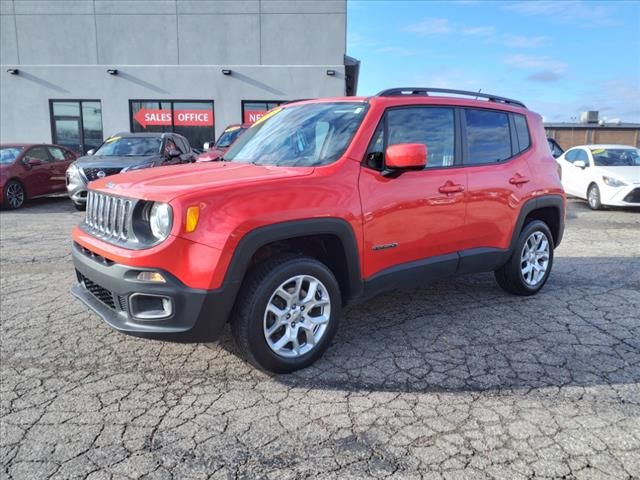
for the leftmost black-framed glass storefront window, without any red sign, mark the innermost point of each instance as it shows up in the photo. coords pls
(76, 124)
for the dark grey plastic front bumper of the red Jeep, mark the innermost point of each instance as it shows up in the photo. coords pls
(107, 288)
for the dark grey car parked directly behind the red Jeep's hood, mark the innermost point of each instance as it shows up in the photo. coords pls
(122, 153)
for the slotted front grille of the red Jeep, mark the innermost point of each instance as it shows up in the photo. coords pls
(109, 216)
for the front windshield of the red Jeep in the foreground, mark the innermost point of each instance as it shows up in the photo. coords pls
(300, 136)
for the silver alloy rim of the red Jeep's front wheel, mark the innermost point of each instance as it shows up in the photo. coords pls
(297, 316)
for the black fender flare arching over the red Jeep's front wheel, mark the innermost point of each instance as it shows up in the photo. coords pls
(261, 236)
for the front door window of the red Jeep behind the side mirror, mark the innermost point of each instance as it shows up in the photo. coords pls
(431, 126)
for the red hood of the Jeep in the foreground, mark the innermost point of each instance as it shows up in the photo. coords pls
(163, 184)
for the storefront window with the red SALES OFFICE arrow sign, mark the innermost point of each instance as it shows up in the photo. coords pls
(193, 119)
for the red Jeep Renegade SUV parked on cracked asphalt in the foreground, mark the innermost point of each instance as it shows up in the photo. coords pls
(317, 204)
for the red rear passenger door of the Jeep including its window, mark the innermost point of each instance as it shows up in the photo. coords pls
(498, 176)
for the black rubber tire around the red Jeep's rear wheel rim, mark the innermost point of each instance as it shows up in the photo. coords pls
(510, 276)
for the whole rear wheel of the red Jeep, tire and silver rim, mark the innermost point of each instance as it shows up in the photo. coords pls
(530, 264)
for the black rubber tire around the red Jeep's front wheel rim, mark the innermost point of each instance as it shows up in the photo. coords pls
(247, 325)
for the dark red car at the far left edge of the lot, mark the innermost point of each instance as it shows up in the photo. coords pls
(31, 170)
